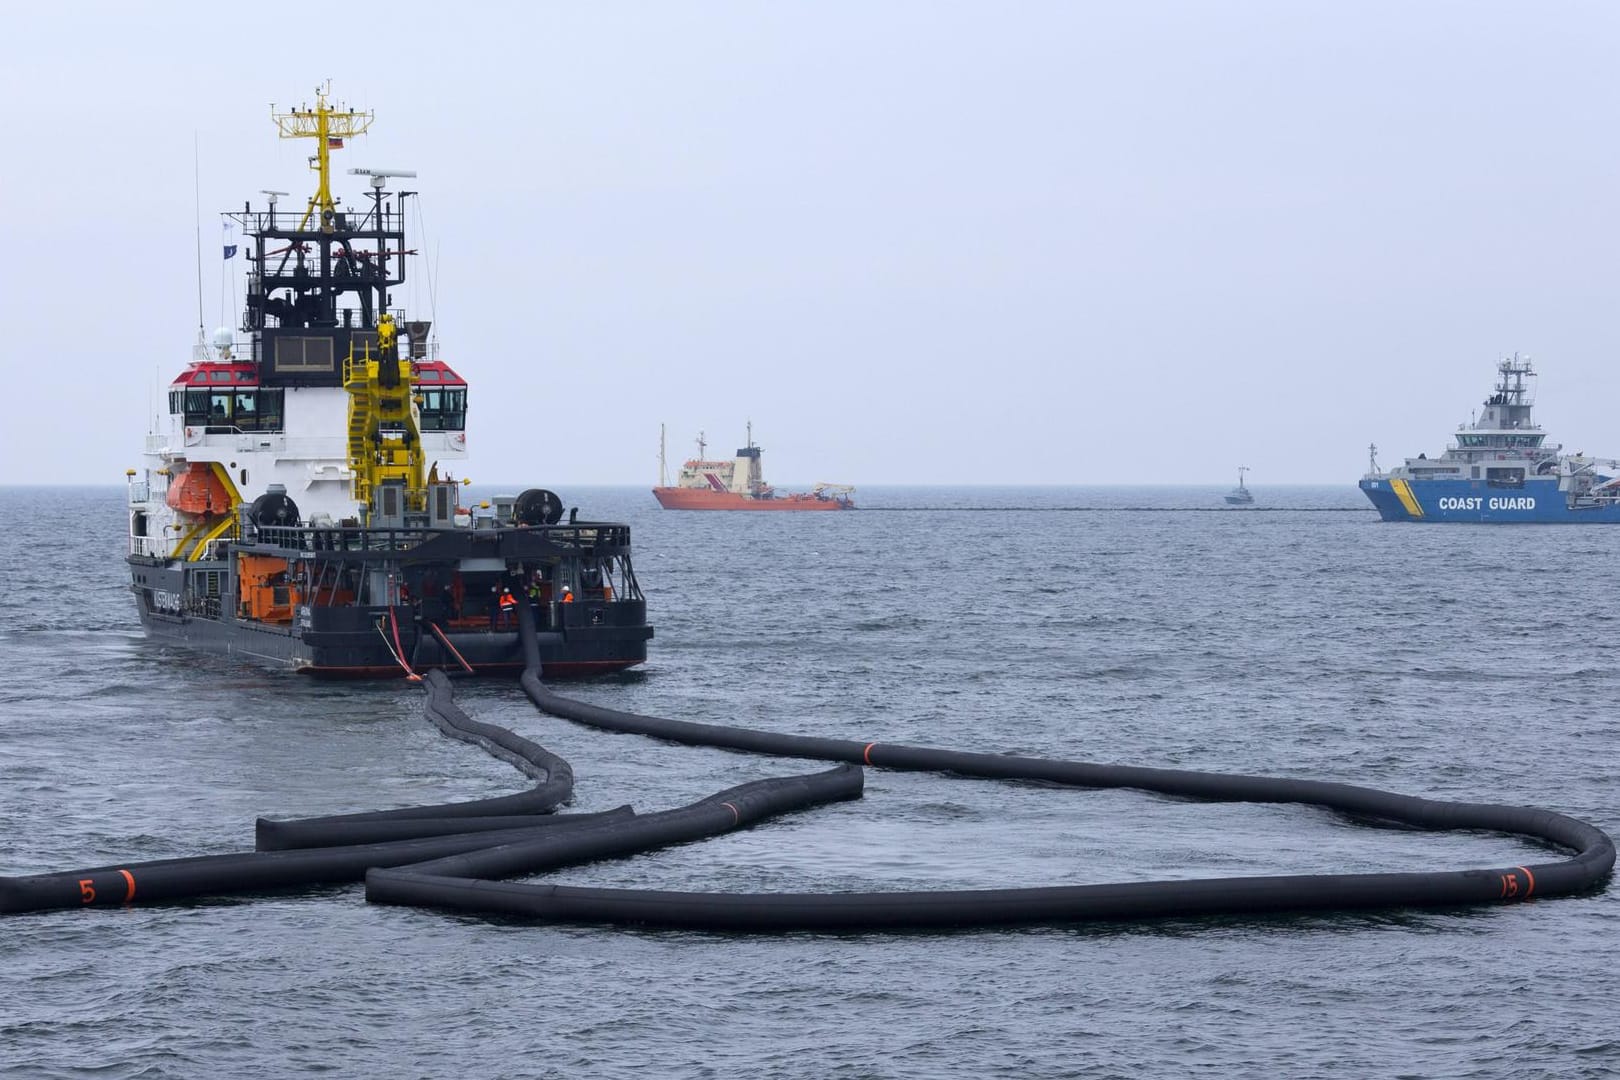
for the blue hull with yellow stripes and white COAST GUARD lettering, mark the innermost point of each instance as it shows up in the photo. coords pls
(1477, 503)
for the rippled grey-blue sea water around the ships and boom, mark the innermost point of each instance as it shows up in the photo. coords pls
(1120, 626)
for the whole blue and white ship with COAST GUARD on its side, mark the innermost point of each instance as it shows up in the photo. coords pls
(1499, 470)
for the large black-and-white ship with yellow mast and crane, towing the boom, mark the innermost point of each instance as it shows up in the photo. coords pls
(297, 506)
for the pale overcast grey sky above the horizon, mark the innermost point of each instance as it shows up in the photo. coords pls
(937, 244)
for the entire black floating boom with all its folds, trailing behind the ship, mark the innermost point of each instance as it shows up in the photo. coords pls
(451, 856)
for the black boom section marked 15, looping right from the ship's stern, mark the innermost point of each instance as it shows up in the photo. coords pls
(1587, 870)
